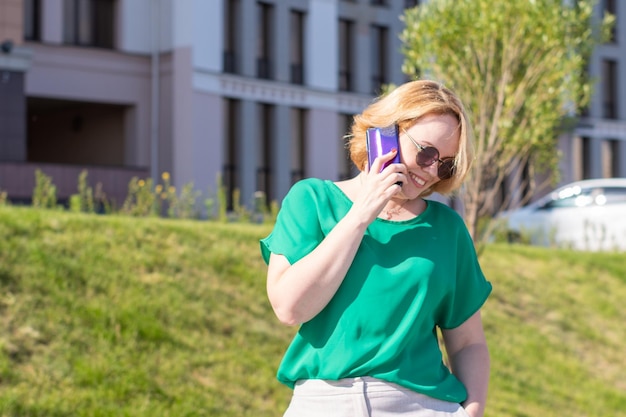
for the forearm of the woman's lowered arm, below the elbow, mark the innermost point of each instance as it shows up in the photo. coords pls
(471, 365)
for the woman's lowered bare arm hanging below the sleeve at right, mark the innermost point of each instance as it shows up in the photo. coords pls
(469, 359)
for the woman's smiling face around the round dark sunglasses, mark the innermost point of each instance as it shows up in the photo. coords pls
(439, 131)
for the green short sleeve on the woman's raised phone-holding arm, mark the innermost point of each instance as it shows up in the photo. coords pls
(297, 230)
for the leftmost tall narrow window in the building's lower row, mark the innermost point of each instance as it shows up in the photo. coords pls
(230, 170)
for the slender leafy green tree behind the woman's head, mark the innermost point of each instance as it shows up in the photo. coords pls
(520, 68)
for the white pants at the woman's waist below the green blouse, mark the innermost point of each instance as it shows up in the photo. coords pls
(365, 397)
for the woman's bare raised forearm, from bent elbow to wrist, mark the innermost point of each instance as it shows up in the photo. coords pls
(300, 292)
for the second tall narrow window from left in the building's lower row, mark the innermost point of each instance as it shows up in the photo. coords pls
(265, 156)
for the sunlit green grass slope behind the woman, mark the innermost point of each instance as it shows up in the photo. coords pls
(120, 316)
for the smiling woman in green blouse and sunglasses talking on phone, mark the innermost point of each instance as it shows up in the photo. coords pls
(370, 271)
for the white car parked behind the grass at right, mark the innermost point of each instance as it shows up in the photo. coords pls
(586, 215)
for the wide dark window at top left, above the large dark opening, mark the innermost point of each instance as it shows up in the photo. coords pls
(89, 23)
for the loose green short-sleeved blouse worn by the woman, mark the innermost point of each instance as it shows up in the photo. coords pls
(407, 278)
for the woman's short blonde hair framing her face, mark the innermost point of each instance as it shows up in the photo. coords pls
(405, 106)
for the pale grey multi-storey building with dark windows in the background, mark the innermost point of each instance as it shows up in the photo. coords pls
(255, 94)
